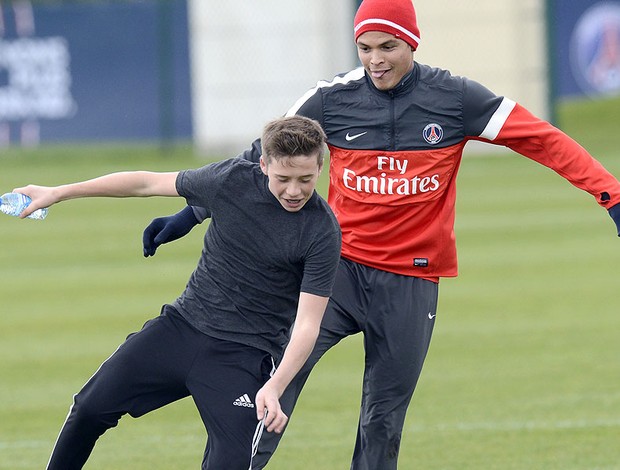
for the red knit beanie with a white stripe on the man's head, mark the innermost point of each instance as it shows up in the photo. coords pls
(395, 17)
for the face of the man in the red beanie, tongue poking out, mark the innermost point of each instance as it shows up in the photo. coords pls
(386, 58)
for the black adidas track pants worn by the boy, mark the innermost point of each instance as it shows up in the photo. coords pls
(165, 361)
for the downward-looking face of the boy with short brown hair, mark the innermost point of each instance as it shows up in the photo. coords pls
(292, 180)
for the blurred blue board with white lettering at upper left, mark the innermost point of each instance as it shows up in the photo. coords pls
(95, 71)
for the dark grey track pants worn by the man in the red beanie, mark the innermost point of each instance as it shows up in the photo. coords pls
(396, 314)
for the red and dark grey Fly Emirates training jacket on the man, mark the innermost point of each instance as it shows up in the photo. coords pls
(394, 158)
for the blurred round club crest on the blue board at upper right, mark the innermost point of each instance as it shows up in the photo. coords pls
(595, 49)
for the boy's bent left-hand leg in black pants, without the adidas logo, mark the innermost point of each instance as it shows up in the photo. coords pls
(145, 373)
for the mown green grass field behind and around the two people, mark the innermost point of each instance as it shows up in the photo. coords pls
(523, 372)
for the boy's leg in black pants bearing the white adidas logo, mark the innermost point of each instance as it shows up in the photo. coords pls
(223, 382)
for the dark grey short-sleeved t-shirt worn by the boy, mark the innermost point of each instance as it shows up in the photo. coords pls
(257, 256)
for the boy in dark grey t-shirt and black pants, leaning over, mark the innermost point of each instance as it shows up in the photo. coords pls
(270, 257)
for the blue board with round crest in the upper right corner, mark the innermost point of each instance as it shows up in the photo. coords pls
(585, 47)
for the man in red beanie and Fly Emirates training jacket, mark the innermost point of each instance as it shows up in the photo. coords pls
(396, 131)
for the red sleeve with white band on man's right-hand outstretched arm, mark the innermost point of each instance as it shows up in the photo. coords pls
(521, 131)
